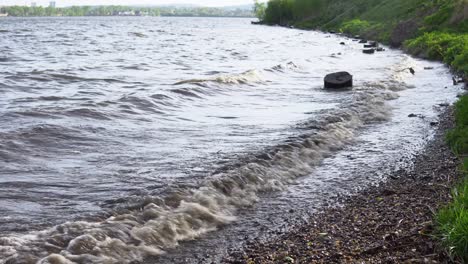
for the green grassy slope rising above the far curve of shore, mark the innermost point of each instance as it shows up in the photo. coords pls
(435, 30)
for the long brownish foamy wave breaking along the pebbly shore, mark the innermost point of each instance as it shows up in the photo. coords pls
(156, 224)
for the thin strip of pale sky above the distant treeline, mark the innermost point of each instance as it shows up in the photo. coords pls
(128, 2)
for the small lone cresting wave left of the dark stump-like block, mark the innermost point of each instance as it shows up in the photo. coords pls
(248, 77)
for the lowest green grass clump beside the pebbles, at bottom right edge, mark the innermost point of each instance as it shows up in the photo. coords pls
(452, 223)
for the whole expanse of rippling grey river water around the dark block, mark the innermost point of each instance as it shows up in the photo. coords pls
(122, 137)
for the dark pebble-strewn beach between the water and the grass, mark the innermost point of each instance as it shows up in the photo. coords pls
(391, 223)
